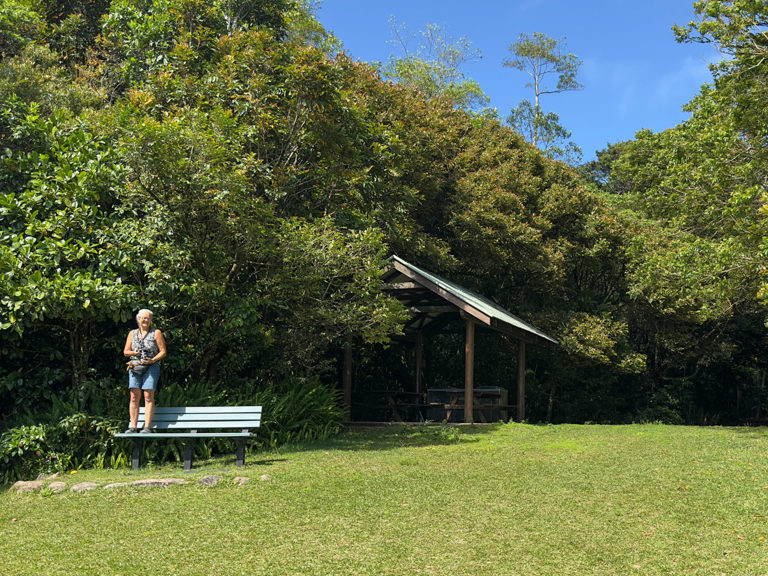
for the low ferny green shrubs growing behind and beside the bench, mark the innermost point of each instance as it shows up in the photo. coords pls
(294, 410)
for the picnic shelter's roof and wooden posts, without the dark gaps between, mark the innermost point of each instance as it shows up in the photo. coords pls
(432, 300)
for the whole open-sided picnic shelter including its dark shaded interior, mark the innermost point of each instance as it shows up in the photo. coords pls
(457, 345)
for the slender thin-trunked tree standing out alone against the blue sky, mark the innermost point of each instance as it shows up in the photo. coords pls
(543, 58)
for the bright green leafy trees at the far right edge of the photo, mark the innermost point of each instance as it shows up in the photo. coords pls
(700, 268)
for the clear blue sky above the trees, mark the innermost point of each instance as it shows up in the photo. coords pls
(635, 74)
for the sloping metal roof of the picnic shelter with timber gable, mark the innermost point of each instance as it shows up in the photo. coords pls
(432, 298)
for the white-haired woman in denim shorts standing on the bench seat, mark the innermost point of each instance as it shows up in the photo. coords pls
(144, 347)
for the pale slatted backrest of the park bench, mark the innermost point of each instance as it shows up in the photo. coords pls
(198, 417)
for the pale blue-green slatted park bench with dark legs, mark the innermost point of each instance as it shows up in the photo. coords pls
(192, 422)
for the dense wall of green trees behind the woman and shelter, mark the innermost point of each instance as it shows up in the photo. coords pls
(219, 163)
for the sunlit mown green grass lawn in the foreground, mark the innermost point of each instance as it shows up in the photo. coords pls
(480, 500)
